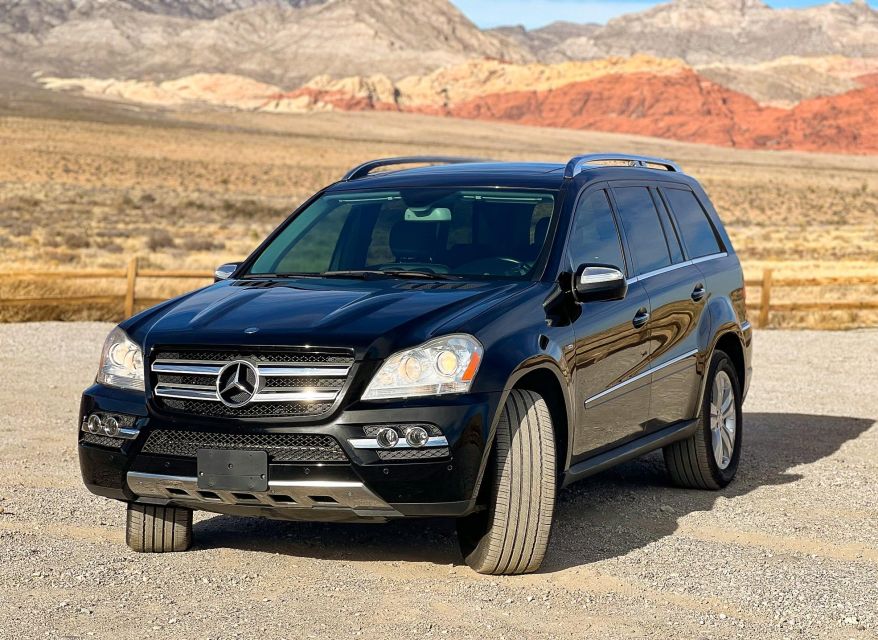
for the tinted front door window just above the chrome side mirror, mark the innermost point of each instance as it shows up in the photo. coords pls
(595, 238)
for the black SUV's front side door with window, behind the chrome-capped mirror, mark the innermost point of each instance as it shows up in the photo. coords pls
(611, 352)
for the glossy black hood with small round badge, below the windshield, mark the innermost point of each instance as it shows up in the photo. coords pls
(375, 318)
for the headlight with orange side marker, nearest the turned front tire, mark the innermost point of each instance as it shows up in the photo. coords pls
(444, 365)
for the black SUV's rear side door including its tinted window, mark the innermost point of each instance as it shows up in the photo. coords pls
(677, 295)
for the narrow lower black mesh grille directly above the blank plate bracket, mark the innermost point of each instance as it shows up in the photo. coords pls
(281, 447)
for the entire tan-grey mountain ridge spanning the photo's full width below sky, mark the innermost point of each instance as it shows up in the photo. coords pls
(290, 41)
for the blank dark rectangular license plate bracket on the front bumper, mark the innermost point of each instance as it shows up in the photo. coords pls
(232, 470)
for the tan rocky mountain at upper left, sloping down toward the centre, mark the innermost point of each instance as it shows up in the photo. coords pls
(279, 41)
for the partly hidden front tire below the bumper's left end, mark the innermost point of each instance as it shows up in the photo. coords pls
(151, 529)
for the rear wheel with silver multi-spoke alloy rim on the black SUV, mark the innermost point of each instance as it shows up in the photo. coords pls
(694, 463)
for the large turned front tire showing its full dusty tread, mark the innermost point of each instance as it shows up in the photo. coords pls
(511, 536)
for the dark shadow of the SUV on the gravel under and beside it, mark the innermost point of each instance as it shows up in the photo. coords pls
(608, 515)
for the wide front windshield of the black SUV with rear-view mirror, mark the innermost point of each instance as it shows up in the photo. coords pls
(447, 233)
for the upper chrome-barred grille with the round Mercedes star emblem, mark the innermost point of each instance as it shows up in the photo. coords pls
(280, 383)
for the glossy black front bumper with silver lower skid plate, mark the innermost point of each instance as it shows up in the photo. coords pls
(364, 487)
